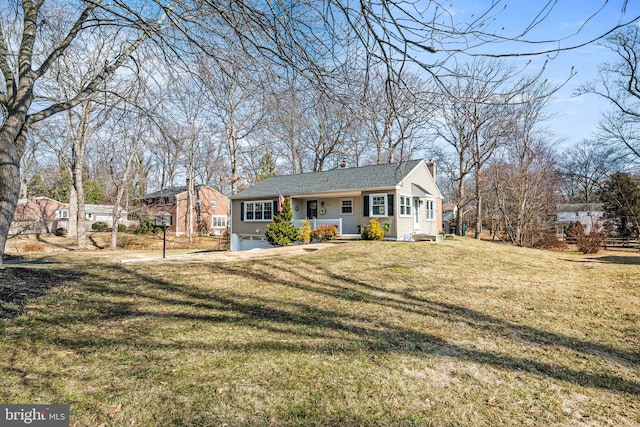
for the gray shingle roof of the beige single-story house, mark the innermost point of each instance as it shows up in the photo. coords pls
(343, 179)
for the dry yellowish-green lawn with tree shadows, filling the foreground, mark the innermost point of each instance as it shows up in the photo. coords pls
(364, 333)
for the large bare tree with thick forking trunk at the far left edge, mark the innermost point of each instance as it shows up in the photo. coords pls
(26, 57)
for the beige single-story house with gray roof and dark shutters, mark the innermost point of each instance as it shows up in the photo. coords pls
(403, 196)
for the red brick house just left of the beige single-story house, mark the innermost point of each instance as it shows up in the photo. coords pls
(210, 209)
